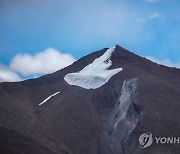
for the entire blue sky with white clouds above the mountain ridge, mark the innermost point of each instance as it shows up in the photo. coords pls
(41, 36)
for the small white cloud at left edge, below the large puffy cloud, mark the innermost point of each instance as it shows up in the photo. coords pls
(7, 75)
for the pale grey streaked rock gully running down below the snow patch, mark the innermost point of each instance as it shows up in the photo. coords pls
(122, 121)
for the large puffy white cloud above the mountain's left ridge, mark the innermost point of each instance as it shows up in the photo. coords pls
(44, 62)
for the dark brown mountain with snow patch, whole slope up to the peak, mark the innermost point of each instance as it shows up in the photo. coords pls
(100, 104)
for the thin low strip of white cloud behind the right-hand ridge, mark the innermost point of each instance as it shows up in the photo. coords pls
(164, 62)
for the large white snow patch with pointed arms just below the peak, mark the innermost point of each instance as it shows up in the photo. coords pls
(95, 74)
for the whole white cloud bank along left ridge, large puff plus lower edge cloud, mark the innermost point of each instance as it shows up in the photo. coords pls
(23, 65)
